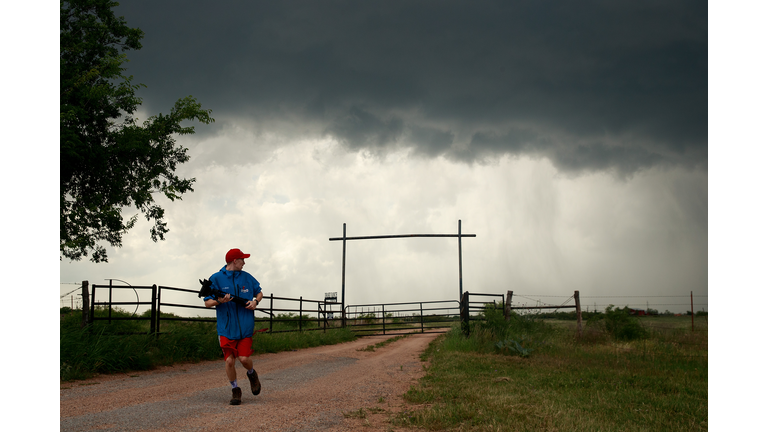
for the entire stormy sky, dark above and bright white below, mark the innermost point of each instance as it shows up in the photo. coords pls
(570, 137)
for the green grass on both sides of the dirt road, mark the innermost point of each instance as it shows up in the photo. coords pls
(526, 374)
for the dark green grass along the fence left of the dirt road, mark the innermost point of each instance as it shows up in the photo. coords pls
(104, 348)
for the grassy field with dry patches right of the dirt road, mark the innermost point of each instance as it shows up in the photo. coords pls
(599, 382)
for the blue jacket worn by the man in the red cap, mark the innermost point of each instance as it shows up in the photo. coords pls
(234, 321)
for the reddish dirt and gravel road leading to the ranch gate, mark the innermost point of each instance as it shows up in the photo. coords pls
(313, 389)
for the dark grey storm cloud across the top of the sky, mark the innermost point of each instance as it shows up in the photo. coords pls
(592, 85)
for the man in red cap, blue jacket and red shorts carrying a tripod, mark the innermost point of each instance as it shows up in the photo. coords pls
(235, 319)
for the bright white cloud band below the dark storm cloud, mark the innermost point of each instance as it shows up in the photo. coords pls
(537, 231)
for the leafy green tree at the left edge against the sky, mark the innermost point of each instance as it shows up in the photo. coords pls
(108, 161)
